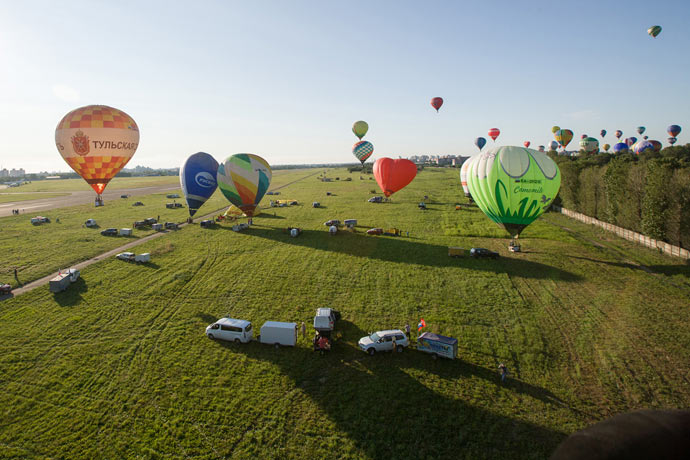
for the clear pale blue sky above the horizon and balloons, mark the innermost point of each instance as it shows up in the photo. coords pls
(286, 79)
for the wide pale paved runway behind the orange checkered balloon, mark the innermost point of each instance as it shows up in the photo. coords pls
(76, 198)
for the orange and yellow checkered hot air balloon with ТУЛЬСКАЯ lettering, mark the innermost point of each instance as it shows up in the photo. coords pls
(97, 141)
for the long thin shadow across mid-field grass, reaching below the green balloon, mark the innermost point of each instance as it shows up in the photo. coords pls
(405, 250)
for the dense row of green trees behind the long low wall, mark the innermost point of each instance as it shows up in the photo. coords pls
(649, 193)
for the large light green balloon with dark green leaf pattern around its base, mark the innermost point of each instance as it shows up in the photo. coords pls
(513, 185)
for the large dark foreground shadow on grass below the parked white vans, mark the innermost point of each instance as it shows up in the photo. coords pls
(383, 404)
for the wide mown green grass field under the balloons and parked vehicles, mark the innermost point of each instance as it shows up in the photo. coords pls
(118, 367)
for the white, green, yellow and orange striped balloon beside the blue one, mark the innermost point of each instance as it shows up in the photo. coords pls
(244, 179)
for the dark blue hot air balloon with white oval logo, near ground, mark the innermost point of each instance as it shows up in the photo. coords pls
(198, 180)
